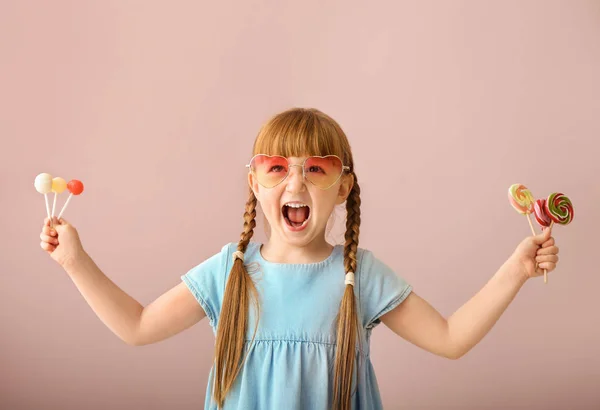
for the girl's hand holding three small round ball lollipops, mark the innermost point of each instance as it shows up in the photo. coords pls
(61, 242)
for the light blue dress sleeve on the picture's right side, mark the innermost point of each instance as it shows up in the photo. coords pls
(380, 288)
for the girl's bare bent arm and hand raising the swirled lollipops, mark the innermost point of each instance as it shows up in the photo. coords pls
(419, 323)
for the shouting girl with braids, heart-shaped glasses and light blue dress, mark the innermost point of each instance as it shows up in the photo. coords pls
(293, 317)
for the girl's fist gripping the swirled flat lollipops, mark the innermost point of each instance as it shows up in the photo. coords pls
(536, 253)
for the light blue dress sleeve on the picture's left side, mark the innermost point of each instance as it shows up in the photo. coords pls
(207, 282)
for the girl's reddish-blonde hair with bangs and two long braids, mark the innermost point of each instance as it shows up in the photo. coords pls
(295, 132)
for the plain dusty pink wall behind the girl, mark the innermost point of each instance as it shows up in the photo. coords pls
(155, 106)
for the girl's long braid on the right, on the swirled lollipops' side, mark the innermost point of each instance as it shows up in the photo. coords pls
(348, 326)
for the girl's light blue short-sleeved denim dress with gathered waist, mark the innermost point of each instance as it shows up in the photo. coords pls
(290, 364)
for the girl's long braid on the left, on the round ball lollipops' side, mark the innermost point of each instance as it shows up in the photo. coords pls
(231, 330)
